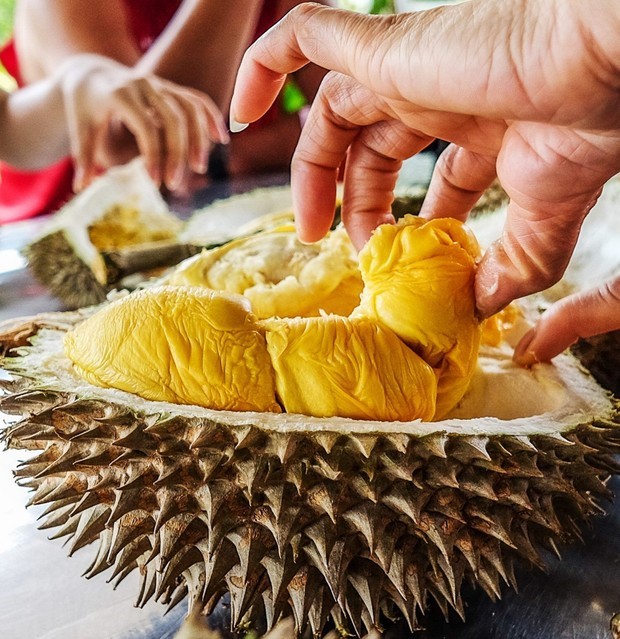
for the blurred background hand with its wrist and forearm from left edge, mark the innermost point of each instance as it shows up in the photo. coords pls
(68, 111)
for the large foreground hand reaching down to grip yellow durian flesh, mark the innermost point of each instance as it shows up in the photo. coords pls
(523, 91)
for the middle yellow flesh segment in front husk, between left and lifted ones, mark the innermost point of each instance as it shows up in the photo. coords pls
(327, 366)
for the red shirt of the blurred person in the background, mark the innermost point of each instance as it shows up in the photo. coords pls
(25, 194)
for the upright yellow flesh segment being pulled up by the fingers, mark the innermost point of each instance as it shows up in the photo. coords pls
(419, 281)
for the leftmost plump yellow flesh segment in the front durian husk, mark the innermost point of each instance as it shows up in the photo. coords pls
(180, 345)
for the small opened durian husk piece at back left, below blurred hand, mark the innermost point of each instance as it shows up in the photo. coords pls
(121, 209)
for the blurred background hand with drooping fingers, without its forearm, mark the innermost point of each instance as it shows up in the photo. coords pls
(173, 126)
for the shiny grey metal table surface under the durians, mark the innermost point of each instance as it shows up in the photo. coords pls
(44, 596)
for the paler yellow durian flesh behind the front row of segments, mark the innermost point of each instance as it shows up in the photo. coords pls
(278, 274)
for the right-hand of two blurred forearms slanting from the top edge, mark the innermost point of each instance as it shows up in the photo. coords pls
(216, 32)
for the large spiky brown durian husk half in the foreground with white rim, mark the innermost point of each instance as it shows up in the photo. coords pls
(309, 517)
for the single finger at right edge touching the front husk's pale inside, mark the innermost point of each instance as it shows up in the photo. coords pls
(584, 314)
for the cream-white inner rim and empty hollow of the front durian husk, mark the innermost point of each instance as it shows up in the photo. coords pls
(503, 398)
